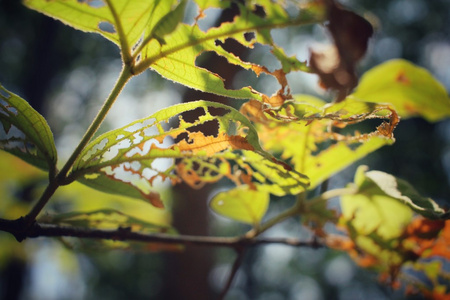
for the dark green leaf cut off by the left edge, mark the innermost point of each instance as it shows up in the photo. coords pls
(25, 133)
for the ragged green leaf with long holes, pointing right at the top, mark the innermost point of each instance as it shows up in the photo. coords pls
(176, 58)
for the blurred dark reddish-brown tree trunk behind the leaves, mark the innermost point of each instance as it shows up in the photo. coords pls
(187, 272)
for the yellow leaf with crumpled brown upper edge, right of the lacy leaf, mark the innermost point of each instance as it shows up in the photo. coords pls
(299, 132)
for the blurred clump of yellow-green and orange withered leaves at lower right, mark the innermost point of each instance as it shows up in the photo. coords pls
(380, 221)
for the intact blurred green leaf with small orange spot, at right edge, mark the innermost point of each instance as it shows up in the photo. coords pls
(412, 90)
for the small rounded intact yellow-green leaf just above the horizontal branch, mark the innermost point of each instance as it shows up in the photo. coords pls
(241, 204)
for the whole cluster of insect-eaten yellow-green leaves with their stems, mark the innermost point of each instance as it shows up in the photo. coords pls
(279, 144)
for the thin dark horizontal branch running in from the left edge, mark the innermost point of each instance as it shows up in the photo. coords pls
(16, 228)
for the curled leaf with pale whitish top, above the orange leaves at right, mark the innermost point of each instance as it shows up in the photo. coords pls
(400, 190)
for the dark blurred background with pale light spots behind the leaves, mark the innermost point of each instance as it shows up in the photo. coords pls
(65, 75)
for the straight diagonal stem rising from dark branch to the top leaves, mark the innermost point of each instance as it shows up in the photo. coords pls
(60, 178)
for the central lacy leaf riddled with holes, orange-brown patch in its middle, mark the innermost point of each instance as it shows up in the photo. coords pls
(207, 141)
